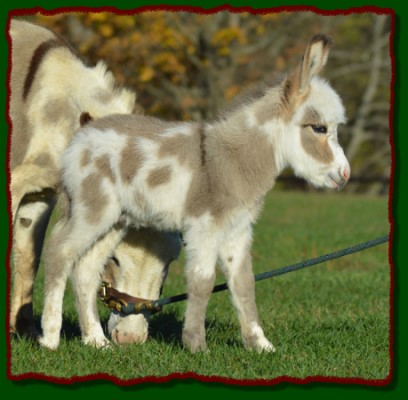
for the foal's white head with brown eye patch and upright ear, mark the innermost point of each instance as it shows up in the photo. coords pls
(312, 111)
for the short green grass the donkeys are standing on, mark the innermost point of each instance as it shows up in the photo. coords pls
(330, 320)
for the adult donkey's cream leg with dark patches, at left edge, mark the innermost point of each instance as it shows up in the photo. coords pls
(29, 232)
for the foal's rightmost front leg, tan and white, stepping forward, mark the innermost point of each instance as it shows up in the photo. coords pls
(236, 261)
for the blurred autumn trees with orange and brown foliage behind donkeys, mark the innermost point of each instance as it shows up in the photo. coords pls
(189, 66)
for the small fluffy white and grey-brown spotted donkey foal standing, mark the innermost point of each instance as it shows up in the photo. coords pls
(207, 180)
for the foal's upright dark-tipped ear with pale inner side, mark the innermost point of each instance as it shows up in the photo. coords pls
(314, 59)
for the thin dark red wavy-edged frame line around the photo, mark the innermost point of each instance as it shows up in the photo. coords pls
(192, 375)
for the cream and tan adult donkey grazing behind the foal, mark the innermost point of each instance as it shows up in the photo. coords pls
(52, 93)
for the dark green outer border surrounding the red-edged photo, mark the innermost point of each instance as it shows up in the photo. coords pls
(108, 390)
